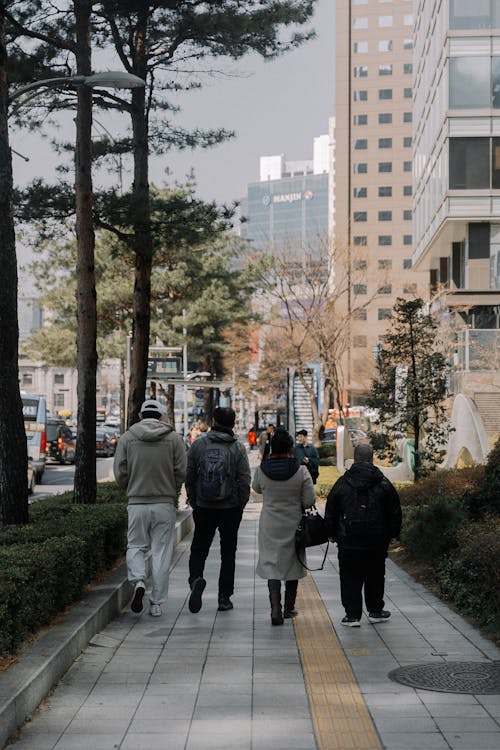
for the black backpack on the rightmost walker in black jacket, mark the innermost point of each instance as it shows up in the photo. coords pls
(362, 516)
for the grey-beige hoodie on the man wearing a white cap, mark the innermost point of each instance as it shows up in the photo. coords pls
(150, 462)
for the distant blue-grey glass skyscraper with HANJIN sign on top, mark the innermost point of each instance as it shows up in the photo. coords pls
(287, 210)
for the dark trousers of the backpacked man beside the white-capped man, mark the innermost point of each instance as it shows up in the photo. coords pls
(206, 522)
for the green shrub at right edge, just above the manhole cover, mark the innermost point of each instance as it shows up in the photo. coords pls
(472, 578)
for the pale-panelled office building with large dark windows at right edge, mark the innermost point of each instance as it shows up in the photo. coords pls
(457, 183)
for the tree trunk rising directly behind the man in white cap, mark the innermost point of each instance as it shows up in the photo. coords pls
(142, 234)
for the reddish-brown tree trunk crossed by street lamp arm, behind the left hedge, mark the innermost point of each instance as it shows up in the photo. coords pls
(85, 489)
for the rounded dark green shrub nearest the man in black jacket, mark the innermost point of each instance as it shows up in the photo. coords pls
(430, 532)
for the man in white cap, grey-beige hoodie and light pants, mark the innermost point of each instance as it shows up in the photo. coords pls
(150, 464)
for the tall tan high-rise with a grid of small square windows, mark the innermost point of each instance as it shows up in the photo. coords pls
(373, 174)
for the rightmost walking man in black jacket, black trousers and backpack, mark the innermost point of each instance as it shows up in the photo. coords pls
(363, 514)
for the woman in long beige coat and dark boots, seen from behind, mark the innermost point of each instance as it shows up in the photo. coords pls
(286, 488)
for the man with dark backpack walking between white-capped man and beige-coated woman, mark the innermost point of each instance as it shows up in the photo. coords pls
(218, 488)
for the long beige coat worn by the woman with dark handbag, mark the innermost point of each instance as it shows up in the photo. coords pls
(281, 512)
